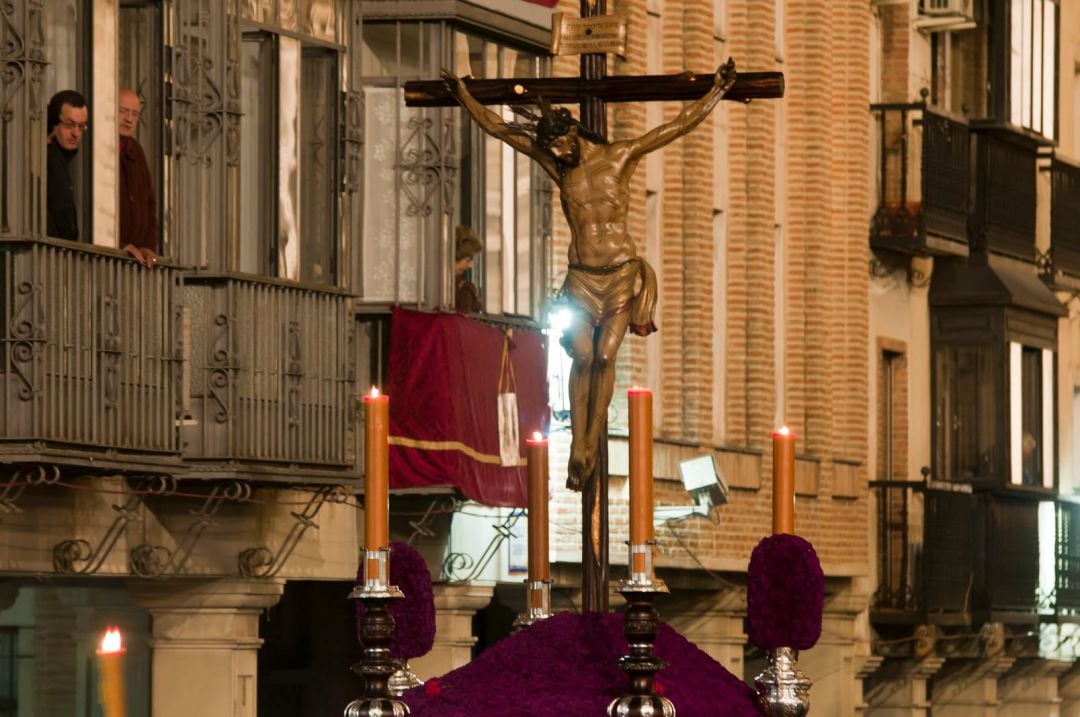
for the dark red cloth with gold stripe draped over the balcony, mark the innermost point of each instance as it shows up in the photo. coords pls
(443, 381)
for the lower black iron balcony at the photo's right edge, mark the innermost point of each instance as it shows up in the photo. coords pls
(937, 569)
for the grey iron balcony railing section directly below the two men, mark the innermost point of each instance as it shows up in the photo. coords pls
(91, 358)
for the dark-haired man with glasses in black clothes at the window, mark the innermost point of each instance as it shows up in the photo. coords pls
(66, 119)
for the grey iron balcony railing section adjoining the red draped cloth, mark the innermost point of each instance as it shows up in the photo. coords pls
(272, 381)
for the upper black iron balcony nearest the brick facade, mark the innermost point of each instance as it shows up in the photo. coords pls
(923, 184)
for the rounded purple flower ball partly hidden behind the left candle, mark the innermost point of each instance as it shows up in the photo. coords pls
(415, 615)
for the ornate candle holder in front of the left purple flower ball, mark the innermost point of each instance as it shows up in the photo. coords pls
(376, 629)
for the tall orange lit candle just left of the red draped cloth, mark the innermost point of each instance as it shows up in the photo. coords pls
(376, 475)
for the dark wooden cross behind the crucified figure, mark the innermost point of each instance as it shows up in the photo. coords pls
(592, 91)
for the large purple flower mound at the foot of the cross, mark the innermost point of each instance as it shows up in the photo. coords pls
(568, 665)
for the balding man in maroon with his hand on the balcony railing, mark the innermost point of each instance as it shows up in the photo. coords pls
(139, 208)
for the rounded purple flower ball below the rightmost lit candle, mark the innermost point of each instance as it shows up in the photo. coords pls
(786, 593)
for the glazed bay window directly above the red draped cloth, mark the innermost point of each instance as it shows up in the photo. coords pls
(429, 170)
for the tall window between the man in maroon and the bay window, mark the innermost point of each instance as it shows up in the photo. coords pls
(289, 157)
